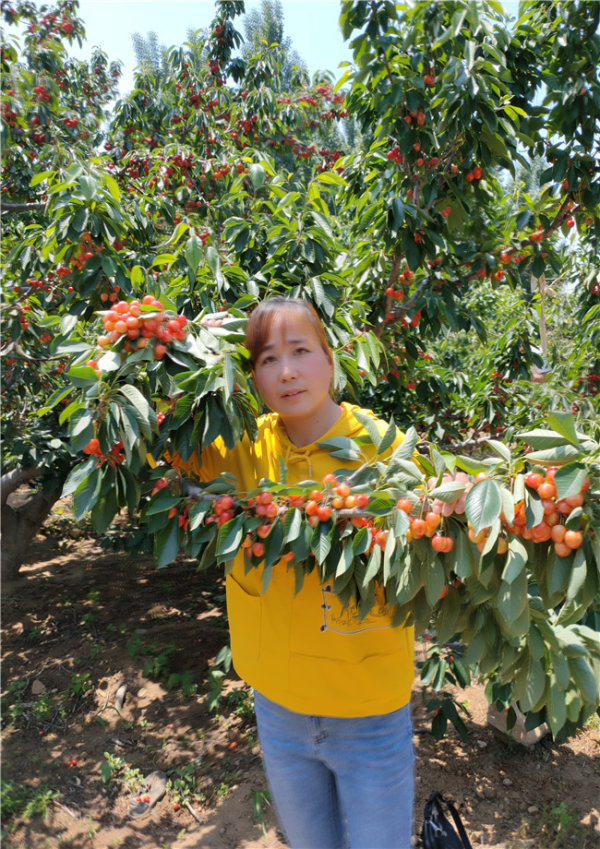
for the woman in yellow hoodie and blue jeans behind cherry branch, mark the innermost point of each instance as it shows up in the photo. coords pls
(332, 691)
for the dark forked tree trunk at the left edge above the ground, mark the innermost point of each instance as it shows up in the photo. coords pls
(21, 523)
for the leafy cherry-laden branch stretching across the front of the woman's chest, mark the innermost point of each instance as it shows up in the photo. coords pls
(500, 553)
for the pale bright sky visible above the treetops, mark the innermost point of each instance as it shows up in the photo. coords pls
(312, 26)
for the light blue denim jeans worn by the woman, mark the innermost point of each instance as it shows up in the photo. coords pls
(339, 783)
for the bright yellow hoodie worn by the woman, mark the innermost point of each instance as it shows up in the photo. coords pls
(304, 651)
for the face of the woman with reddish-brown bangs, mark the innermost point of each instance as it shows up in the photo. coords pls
(293, 373)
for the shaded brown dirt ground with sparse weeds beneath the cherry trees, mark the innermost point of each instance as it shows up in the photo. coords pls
(82, 622)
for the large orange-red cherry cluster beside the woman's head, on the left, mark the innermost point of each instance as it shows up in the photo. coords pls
(142, 323)
